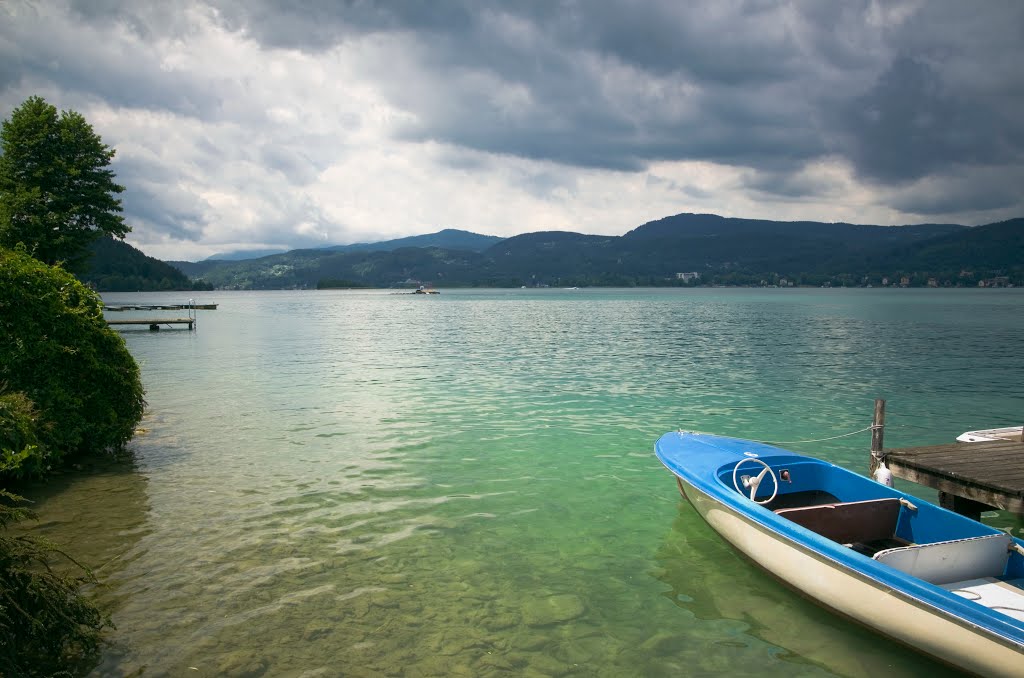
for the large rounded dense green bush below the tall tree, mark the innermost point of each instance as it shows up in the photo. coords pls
(57, 350)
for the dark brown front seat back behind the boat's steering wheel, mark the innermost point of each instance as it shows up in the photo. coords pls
(849, 523)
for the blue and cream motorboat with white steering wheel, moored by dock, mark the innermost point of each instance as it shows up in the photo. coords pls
(935, 581)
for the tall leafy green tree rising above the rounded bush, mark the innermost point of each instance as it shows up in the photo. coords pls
(58, 193)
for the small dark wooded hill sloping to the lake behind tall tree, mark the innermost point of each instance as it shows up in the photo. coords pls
(117, 267)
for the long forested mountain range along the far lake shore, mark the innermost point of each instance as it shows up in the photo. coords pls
(721, 251)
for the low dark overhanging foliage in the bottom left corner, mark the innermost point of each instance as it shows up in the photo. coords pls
(48, 628)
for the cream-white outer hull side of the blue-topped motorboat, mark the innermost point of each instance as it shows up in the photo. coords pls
(862, 599)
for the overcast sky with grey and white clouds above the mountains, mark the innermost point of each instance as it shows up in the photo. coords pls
(248, 123)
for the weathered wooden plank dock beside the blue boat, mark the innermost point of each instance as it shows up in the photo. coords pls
(971, 478)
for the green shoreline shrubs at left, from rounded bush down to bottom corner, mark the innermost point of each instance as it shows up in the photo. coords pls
(70, 392)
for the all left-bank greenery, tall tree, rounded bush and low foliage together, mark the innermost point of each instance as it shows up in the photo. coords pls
(70, 390)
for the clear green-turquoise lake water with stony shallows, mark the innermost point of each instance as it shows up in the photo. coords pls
(366, 484)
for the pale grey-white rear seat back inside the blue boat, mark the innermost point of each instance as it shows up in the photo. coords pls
(956, 561)
